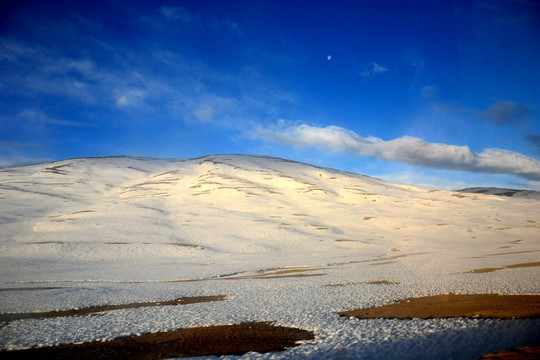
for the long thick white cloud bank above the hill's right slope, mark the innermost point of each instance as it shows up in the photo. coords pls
(406, 149)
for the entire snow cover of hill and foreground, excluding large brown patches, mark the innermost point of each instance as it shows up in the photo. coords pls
(285, 241)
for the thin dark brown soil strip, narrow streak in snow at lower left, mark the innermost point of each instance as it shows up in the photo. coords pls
(102, 308)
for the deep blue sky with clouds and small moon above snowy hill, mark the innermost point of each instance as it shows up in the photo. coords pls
(438, 93)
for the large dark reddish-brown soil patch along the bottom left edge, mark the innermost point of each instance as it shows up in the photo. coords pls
(203, 341)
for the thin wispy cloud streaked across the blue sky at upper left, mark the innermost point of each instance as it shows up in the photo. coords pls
(108, 78)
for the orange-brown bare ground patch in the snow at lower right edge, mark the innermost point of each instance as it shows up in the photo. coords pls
(452, 305)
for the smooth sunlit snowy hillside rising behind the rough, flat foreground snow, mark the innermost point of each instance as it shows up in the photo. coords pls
(141, 216)
